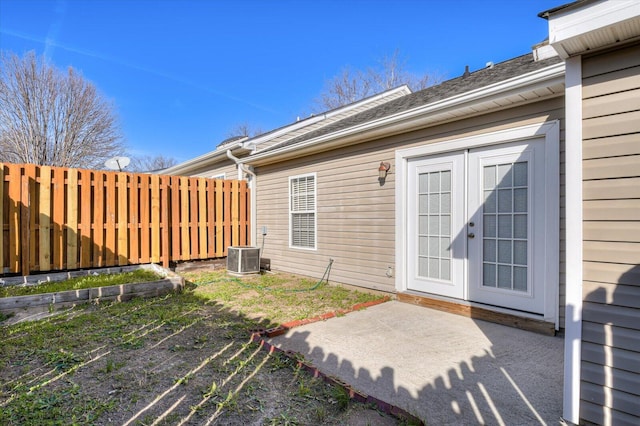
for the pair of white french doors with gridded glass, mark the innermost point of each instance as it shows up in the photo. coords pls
(476, 225)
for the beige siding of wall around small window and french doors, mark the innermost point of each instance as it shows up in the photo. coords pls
(355, 214)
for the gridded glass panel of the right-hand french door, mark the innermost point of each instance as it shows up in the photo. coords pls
(505, 235)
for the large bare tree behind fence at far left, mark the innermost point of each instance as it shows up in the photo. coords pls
(49, 117)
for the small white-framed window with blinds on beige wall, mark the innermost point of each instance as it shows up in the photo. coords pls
(302, 211)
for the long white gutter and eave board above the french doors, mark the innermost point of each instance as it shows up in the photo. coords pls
(407, 119)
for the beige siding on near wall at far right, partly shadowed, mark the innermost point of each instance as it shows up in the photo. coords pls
(610, 371)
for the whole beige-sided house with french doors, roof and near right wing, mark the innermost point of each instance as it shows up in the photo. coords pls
(513, 189)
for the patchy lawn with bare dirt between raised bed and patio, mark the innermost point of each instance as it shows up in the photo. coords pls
(179, 359)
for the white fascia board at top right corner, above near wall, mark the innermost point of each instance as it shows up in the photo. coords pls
(566, 25)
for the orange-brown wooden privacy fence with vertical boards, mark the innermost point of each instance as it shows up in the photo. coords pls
(57, 218)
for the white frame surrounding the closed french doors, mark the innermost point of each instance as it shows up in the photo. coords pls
(550, 131)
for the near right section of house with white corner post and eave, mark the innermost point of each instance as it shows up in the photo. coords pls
(599, 41)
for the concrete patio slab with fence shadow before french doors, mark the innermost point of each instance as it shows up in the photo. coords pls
(441, 367)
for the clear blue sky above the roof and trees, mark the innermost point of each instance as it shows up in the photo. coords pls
(182, 73)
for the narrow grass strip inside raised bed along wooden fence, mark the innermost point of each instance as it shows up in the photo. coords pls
(78, 283)
